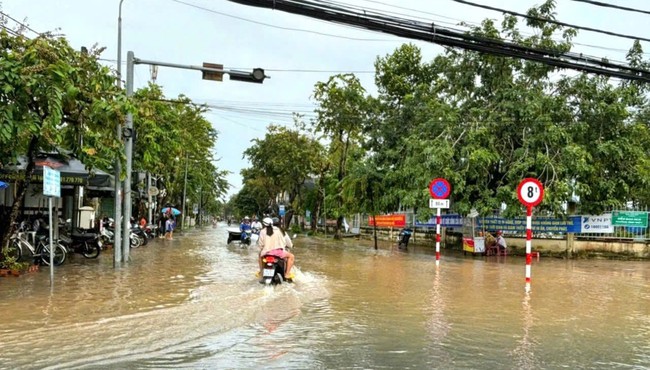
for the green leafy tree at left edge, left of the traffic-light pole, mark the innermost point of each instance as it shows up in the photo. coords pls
(50, 97)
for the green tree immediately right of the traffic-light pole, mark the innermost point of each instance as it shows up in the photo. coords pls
(173, 135)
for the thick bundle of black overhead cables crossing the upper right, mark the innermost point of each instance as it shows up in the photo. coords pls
(430, 32)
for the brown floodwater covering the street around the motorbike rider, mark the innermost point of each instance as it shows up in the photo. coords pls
(195, 303)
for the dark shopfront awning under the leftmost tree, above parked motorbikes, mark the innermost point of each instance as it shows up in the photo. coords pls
(73, 172)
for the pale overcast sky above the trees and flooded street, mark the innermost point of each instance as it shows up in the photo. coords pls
(296, 51)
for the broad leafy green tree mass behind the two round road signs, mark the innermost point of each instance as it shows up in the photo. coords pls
(486, 122)
